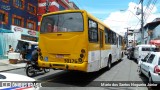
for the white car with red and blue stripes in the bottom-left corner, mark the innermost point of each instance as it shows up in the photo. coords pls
(10, 81)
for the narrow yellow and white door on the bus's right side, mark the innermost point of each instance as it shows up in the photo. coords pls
(101, 48)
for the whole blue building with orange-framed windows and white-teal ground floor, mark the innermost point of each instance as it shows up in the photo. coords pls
(21, 14)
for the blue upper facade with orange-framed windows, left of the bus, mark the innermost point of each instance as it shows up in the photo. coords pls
(22, 13)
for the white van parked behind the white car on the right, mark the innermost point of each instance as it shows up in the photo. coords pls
(141, 51)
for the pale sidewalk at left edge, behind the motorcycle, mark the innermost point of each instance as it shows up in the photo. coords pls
(6, 66)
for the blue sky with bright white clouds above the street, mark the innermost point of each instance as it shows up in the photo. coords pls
(121, 14)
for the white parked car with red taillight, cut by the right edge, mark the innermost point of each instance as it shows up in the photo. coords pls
(150, 67)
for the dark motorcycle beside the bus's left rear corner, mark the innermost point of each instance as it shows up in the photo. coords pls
(32, 69)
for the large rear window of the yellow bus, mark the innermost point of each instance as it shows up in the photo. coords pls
(66, 22)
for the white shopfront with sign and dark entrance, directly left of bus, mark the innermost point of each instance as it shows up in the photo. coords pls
(24, 40)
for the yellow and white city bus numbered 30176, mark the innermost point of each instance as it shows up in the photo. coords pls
(76, 40)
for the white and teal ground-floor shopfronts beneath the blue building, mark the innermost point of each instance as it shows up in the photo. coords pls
(16, 36)
